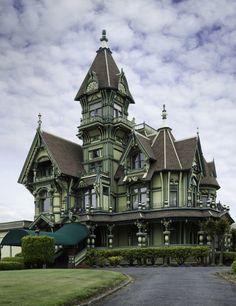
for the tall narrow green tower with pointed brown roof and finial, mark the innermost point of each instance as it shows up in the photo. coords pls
(104, 128)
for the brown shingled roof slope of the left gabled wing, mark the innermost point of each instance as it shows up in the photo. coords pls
(67, 155)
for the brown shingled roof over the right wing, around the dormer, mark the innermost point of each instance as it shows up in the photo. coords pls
(168, 154)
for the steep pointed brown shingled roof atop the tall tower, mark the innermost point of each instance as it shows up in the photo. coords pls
(106, 71)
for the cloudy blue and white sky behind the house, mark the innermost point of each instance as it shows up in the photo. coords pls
(178, 53)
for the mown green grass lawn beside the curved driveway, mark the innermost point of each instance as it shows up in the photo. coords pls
(54, 286)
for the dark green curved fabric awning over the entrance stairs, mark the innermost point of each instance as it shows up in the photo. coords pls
(68, 234)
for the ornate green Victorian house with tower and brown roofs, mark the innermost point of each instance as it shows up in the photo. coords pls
(126, 184)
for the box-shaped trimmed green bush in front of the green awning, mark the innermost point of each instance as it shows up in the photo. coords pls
(38, 250)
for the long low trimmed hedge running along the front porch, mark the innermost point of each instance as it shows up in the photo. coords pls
(143, 255)
